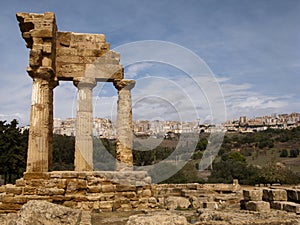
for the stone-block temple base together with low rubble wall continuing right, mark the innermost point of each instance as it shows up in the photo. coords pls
(108, 191)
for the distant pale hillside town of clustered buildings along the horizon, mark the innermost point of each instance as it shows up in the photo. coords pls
(105, 128)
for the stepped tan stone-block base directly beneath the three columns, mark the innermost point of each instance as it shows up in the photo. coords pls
(104, 191)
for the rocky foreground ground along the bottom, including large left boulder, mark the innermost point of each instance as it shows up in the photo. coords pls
(45, 213)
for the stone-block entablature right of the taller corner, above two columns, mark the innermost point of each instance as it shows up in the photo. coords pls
(86, 55)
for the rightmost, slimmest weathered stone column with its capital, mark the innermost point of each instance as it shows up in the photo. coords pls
(124, 125)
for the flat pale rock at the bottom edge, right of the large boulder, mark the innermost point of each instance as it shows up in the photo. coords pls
(157, 218)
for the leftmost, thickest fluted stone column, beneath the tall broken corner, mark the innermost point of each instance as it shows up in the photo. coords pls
(41, 124)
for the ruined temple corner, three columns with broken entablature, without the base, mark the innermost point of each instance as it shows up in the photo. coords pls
(84, 59)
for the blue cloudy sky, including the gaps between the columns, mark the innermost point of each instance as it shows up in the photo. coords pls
(243, 54)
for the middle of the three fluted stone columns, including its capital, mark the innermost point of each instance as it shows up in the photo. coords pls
(84, 124)
